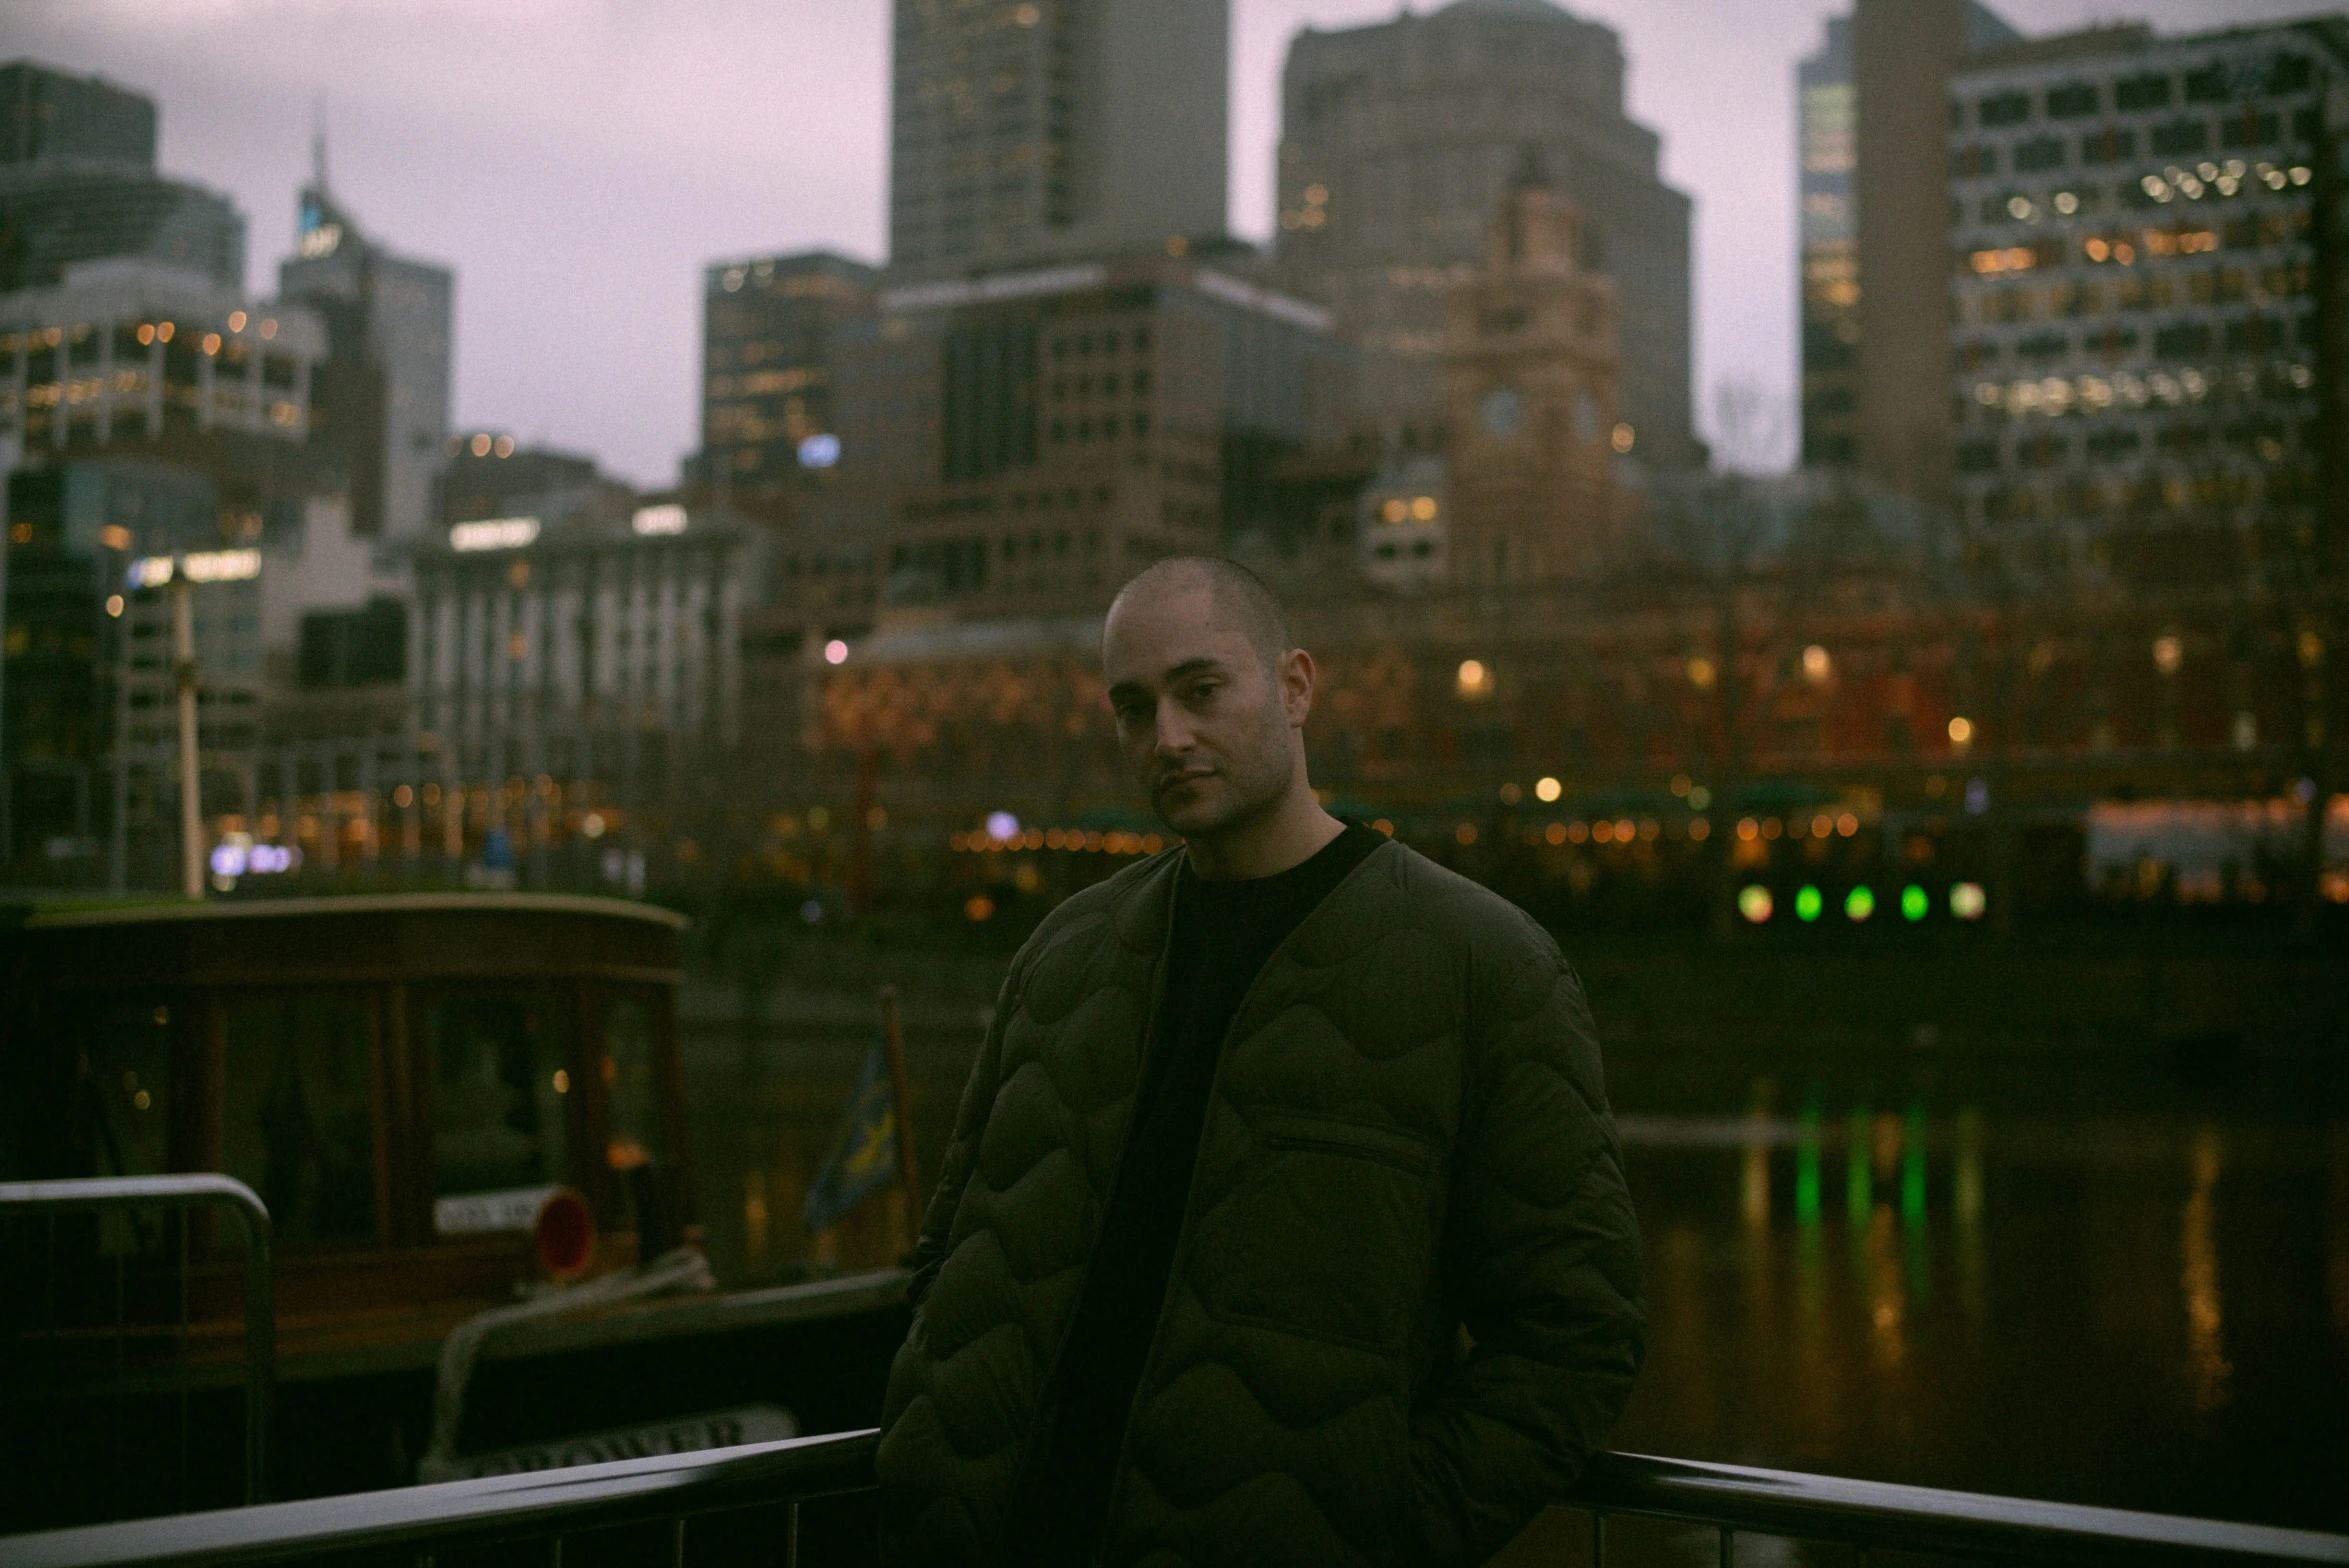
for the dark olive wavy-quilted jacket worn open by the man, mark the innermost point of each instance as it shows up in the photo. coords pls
(1406, 1304)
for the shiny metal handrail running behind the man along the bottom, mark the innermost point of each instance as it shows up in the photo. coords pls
(678, 1496)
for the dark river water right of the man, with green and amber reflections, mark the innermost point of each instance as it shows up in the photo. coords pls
(1988, 1299)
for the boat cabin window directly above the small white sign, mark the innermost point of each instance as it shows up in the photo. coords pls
(502, 1069)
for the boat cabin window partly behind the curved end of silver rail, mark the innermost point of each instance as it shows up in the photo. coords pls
(299, 1111)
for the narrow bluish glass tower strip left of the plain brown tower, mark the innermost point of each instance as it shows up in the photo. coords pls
(1826, 104)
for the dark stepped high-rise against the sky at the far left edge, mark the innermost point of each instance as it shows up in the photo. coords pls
(79, 184)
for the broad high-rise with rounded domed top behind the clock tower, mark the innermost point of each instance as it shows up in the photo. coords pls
(1396, 147)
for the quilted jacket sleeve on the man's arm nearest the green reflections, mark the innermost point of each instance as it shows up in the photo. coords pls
(1542, 1264)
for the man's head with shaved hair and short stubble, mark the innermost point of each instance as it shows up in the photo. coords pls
(1209, 694)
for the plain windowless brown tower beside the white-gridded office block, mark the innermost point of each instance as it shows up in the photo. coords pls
(1902, 62)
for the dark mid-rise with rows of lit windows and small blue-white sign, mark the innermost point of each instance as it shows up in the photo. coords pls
(769, 344)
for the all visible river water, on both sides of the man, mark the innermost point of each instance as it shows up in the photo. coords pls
(2045, 1273)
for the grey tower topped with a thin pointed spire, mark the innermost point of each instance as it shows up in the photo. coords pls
(384, 391)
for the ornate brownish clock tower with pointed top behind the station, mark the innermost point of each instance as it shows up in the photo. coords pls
(1530, 400)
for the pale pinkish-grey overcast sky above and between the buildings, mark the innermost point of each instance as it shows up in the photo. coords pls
(579, 161)
